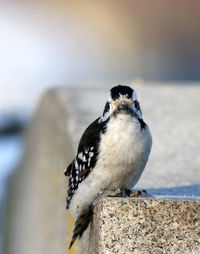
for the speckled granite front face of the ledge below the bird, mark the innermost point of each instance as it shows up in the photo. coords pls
(145, 225)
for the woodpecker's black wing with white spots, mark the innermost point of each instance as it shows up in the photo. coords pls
(86, 157)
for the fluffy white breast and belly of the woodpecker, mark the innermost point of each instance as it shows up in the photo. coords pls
(124, 150)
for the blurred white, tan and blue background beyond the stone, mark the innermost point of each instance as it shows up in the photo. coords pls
(65, 42)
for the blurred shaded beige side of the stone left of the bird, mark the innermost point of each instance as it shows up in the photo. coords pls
(37, 221)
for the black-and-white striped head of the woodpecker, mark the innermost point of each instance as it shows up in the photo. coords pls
(121, 100)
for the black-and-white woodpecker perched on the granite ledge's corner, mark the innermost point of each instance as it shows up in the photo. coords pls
(112, 154)
